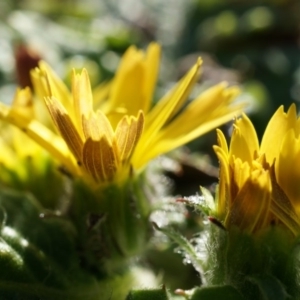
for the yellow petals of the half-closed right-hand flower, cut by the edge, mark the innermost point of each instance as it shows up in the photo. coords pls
(259, 184)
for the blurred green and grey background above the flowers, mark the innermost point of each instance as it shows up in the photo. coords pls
(252, 43)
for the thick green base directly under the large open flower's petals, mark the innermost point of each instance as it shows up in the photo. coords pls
(112, 223)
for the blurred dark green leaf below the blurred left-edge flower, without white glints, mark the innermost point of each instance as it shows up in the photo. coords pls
(49, 233)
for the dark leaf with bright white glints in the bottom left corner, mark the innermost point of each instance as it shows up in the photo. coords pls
(31, 274)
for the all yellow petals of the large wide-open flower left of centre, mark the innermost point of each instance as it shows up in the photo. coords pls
(104, 135)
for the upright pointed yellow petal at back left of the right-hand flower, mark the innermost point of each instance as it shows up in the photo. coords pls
(244, 142)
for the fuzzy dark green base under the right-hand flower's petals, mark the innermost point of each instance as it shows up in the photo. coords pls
(257, 265)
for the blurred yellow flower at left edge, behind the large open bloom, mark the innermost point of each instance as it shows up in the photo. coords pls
(25, 165)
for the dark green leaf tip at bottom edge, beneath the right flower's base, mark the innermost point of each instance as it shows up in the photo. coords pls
(225, 292)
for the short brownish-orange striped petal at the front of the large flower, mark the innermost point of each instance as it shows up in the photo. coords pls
(99, 159)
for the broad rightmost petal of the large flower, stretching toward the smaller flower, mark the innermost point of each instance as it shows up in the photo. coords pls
(194, 122)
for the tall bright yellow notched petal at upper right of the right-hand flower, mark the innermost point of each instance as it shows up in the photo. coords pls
(276, 129)
